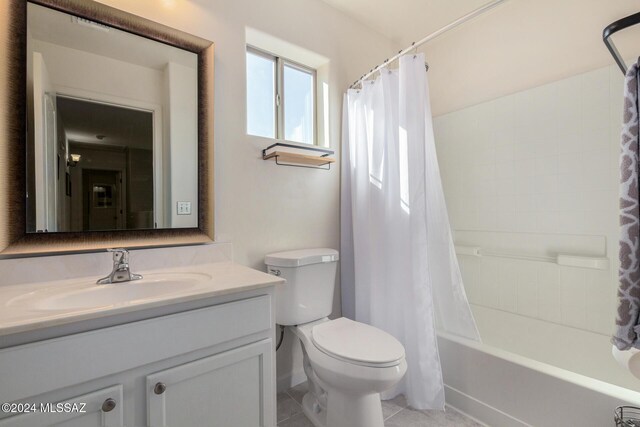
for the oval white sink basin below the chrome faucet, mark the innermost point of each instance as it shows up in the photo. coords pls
(82, 295)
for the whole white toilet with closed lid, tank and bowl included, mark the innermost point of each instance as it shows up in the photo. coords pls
(347, 363)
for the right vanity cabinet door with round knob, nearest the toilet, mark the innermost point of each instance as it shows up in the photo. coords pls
(230, 389)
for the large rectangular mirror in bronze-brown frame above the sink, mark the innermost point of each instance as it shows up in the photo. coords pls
(107, 126)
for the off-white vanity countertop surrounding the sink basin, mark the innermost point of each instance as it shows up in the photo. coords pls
(222, 278)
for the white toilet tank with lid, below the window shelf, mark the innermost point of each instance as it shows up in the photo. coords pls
(310, 276)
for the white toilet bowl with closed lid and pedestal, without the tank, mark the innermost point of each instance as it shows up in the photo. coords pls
(351, 364)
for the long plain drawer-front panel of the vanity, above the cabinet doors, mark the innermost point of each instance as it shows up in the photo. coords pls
(90, 355)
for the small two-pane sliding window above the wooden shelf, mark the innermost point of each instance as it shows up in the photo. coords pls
(280, 98)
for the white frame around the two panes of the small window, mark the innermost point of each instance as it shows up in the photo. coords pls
(278, 99)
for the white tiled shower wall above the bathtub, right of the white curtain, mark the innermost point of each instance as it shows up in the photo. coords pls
(538, 162)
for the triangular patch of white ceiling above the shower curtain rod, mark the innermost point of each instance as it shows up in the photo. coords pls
(406, 21)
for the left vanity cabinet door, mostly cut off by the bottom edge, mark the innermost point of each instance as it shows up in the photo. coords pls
(102, 408)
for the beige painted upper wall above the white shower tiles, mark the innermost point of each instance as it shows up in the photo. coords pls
(523, 44)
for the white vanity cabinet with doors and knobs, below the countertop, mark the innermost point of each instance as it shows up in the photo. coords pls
(207, 366)
